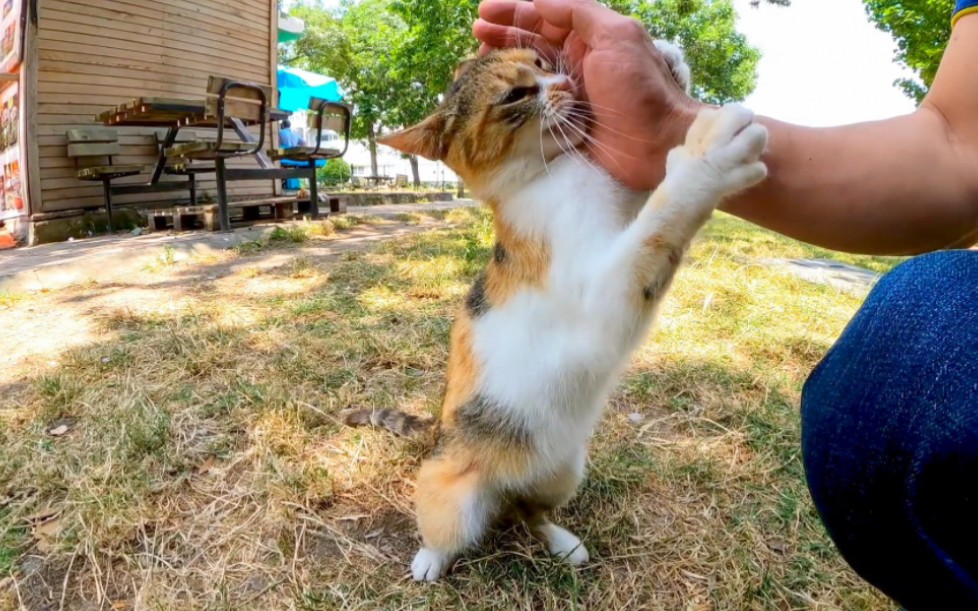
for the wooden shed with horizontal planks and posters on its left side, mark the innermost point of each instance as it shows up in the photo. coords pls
(78, 58)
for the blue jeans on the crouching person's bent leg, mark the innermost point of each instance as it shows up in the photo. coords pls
(890, 435)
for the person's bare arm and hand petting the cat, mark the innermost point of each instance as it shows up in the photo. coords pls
(899, 186)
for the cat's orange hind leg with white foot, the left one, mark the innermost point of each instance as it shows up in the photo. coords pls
(454, 508)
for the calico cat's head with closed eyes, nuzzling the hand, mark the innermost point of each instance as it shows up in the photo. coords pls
(506, 116)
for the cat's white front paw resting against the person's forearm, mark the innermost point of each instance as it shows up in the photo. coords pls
(722, 153)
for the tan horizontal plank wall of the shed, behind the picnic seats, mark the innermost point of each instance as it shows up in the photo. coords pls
(96, 54)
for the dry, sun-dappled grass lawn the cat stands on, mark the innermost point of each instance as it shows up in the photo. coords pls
(185, 452)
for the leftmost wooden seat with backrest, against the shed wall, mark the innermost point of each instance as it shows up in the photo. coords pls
(92, 150)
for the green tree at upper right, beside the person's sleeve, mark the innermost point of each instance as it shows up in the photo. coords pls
(921, 29)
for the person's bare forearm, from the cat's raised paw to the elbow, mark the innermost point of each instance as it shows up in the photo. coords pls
(899, 186)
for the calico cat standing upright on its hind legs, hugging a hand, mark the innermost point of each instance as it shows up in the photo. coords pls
(578, 270)
